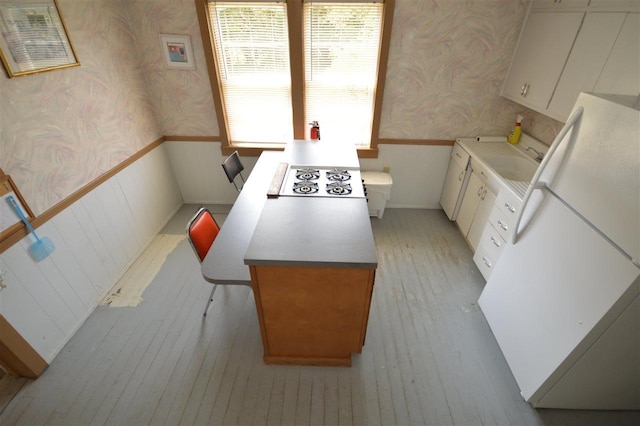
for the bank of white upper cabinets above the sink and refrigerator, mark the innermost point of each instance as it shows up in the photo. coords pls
(568, 48)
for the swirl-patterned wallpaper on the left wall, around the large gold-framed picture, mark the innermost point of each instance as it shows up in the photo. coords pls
(61, 129)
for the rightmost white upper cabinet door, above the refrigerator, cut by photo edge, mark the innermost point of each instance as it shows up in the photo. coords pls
(621, 73)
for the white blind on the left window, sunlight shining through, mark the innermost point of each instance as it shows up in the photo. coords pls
(252, 51)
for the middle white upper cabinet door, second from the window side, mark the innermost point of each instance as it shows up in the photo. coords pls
(588, 56)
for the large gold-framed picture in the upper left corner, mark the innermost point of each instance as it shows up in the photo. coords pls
(34, 37)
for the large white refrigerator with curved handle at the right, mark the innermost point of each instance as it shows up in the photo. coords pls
(563, 302)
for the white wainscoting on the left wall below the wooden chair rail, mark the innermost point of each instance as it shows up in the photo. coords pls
(97, 238)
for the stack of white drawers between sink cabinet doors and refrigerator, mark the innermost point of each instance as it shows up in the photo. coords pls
(497, 231)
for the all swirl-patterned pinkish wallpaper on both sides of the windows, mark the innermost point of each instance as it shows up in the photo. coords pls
(62, 129)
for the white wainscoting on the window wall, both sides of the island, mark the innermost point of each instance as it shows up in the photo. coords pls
(418, 172)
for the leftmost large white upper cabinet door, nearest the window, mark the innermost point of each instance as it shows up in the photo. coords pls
(541, 54)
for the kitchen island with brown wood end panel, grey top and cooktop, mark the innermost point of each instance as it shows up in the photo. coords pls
(312, 262)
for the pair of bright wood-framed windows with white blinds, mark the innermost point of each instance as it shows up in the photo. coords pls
(281, 66)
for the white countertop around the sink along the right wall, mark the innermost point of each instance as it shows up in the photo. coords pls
(482, 151)
